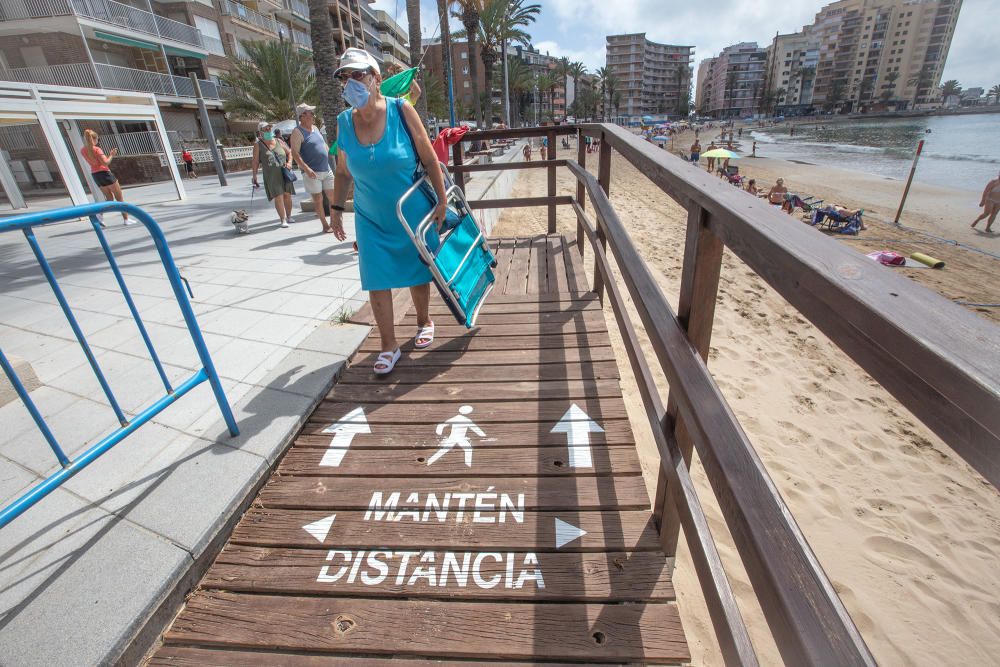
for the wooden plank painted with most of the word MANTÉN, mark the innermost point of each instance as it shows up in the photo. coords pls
(539, 493)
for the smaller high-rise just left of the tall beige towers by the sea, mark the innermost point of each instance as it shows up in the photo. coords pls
(731, 85)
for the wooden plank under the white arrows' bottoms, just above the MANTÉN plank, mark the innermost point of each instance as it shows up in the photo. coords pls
(489, 462)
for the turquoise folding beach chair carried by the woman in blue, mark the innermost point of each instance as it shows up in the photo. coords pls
(458, 257)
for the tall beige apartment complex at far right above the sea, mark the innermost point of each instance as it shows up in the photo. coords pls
(865, 54)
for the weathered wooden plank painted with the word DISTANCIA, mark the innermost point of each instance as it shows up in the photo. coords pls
(605, 577)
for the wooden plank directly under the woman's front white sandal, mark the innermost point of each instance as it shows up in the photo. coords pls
(409, 374)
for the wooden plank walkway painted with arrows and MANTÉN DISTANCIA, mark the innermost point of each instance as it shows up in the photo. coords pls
(483, 504)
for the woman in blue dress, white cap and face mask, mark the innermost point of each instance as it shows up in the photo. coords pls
(375, 151)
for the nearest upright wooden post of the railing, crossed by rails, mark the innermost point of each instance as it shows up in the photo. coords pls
(696, 313)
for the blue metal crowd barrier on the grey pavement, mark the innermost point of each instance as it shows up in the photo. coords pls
(27, 223)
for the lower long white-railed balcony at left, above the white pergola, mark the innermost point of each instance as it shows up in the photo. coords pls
(111, 77)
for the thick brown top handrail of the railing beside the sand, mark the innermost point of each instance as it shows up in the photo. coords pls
(938, 359)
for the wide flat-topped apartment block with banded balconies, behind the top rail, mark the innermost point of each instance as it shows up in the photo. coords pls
(652, 78)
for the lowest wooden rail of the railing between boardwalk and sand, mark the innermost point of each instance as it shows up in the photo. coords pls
(734, 640)
